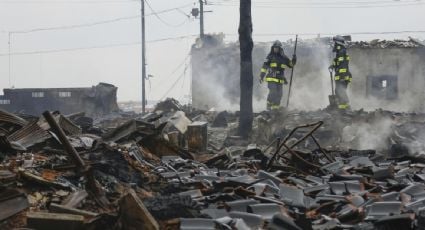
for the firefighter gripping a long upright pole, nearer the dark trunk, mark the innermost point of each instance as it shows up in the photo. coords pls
(273, 72)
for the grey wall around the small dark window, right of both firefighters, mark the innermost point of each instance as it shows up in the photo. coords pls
(407, 64)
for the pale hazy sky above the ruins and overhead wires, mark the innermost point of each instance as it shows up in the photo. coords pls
(73, 43)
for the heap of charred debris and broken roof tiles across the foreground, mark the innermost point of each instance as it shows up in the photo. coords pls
(176, 168)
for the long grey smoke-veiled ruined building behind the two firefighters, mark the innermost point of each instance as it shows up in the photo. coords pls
(386, 74)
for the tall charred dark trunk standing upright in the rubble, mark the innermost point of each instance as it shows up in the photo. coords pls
(246, 78)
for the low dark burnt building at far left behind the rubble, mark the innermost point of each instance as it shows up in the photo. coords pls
(94, 101)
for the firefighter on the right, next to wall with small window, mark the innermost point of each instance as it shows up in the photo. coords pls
(343, 76)
